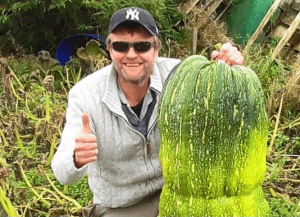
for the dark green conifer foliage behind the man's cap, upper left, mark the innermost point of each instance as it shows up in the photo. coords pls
(37, 24)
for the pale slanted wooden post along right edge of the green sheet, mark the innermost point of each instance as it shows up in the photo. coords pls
(261, 26)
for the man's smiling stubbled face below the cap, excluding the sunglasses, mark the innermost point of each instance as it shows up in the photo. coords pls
(133, 67)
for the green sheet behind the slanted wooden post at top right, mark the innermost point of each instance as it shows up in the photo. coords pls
(244, 16)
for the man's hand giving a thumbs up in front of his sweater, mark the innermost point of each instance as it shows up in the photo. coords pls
(86, 149)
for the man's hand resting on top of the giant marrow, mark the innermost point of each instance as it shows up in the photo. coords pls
(229, 54)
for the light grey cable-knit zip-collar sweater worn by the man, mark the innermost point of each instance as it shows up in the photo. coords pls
(124, 173)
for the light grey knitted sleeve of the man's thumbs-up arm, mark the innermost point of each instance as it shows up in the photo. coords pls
(63, 164)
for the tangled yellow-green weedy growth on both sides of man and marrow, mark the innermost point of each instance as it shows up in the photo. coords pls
(34, 103)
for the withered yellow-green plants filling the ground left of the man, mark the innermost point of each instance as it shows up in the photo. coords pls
(32, 118)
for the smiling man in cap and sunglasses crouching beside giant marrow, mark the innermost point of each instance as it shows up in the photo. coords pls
(111, 132)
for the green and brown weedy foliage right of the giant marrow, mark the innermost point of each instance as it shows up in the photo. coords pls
(280, 81)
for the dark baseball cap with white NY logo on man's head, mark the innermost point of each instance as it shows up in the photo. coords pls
(134, 14)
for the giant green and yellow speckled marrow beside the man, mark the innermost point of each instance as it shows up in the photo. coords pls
(214, 130)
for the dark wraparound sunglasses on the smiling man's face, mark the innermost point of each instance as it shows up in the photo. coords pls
(139, 47)
